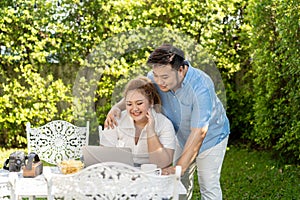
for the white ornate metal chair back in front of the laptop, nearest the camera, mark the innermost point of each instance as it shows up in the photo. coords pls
(113, 180)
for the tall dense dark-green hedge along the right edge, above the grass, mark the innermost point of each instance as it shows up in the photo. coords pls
(276, 68)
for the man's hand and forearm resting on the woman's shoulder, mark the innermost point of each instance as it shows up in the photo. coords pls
(114, 112)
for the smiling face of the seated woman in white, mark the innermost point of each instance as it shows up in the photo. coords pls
(137, 106)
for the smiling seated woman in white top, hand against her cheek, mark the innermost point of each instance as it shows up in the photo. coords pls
(148, 133)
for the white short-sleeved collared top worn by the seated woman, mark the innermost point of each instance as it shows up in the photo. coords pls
(124, 136)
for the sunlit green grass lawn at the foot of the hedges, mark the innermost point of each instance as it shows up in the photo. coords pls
(246, 174)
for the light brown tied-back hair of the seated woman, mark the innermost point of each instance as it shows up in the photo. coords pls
(146, 88)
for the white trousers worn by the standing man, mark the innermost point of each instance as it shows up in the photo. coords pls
(209, 165)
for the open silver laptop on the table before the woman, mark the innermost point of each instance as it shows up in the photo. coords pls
(97, 154)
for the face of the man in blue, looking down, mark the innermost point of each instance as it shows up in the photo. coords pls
(166, 78)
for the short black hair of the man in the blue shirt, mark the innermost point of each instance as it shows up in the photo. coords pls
(167, 54)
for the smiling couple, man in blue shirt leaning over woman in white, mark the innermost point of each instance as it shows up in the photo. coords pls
(192, 113)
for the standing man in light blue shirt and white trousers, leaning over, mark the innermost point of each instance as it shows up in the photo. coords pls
(199, 118)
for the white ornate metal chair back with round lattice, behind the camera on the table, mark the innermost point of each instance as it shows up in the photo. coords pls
(57, 140)
